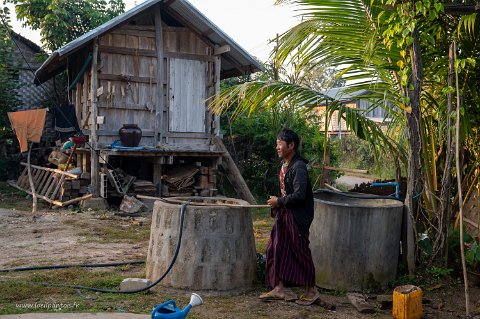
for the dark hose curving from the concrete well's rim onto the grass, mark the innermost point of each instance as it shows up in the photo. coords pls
(177, 249)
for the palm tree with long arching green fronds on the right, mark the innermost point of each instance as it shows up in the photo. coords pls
(399, 54)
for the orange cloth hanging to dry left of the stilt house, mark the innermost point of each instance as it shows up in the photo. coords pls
(28, 126)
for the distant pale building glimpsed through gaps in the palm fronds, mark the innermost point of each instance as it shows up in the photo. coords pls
(353, 100)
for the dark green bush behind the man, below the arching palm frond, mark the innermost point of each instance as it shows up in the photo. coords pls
(251, 141)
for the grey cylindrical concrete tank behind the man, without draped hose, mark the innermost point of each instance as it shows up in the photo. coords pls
(355, 240)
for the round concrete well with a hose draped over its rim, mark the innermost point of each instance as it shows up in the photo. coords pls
(217, 250)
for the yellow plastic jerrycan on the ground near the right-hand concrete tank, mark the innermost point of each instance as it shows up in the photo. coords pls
(407, 302)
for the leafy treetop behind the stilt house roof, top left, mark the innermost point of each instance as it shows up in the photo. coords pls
(61, 21)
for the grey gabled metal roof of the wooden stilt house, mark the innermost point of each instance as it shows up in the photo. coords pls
(235, 62)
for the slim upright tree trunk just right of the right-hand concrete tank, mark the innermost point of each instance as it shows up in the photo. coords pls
(415, 180)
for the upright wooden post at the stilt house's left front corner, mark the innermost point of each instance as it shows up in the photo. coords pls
(94, 168)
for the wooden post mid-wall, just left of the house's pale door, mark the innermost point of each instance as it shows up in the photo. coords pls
(159, 105)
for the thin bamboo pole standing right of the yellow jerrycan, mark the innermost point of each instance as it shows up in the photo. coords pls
(459, 184)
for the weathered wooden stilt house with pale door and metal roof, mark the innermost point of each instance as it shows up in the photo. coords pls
(155, 66)
